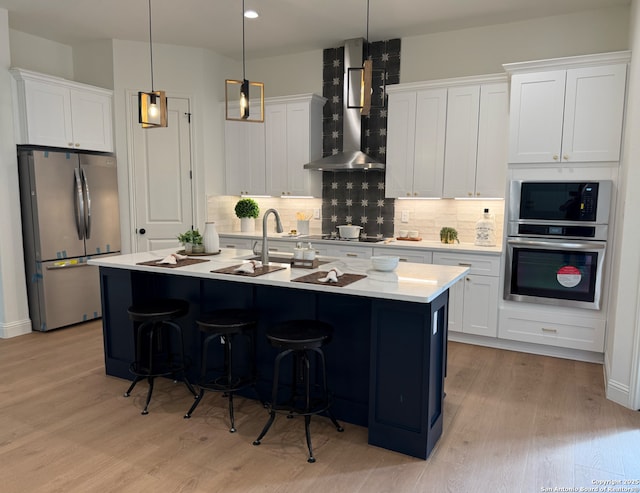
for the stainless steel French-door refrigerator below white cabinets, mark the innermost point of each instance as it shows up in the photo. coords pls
(69, 203)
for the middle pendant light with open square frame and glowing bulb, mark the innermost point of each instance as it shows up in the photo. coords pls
(244, 100)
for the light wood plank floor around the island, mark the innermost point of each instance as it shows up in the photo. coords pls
(514, 422)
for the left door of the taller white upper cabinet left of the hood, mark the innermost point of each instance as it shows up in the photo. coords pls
(276, 149)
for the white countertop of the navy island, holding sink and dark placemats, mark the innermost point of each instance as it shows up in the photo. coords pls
(417, 283)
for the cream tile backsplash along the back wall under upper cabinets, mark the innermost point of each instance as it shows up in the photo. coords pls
(425, 216)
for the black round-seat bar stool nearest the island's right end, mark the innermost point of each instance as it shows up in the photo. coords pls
(300, 338)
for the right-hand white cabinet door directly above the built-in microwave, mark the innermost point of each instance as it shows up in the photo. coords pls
(594, 105)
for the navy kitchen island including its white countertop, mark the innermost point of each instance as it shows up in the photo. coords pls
(387, 357)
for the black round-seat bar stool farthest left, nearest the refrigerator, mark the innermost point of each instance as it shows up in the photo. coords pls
(155, 354)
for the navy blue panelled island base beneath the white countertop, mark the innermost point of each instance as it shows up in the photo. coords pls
(386, 360)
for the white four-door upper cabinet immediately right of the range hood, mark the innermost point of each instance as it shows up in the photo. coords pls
(448, 138)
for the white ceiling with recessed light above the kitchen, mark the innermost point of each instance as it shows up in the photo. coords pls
(284, 26)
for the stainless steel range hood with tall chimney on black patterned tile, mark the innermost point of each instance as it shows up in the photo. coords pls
(351, 158)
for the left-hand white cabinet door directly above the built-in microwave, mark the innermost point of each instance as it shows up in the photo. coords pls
(536, 114)
